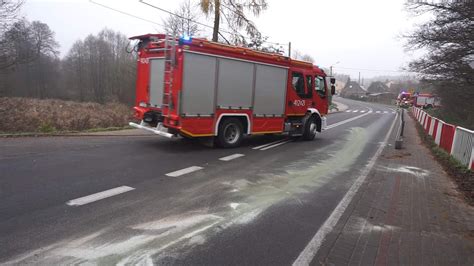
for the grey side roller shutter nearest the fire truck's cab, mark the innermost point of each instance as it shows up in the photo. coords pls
(270, 90)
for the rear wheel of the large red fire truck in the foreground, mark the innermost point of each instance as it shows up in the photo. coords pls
(230, 133)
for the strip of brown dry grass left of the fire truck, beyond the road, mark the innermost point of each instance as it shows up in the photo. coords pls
(35, 115)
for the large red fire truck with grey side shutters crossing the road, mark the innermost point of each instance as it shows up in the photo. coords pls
(196, 88)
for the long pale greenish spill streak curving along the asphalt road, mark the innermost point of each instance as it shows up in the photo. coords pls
(245, 200)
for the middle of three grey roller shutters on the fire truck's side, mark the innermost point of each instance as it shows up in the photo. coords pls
(235, 84)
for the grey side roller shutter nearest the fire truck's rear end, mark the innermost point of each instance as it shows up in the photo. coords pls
(199, 81)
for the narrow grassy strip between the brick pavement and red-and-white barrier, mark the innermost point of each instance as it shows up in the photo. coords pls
(463, 177)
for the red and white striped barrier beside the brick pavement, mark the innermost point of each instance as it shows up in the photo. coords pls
(458, 141)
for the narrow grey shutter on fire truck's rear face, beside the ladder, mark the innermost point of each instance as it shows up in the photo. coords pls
(157, 72)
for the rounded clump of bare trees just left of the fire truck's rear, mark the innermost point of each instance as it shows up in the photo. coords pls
(99, 69)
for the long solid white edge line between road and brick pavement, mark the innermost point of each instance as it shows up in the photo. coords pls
(307, 255)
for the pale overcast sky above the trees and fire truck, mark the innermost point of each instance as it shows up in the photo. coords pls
(363, 36)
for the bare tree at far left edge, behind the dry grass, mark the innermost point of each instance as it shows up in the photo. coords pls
(29, 65)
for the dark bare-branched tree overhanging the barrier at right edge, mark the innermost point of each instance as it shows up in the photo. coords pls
(448, 39)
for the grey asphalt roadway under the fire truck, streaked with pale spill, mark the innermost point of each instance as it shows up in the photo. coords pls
(260, 208)
